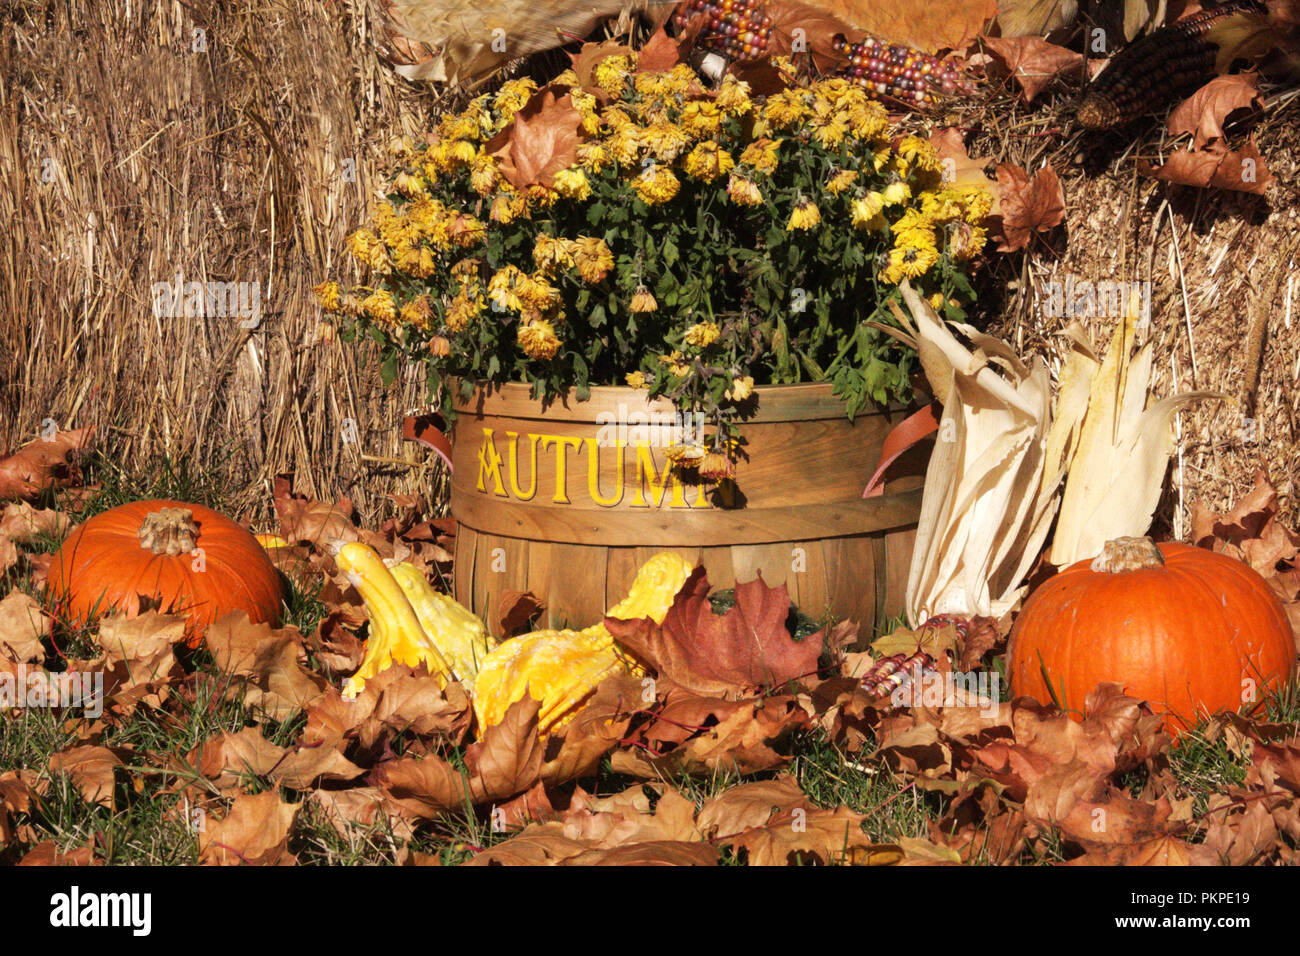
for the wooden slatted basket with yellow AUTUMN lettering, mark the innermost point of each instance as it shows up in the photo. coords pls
(570, 500)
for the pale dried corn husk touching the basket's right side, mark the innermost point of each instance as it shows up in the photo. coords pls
(987, 504)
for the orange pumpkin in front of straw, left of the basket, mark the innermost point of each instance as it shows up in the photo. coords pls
(166, 555)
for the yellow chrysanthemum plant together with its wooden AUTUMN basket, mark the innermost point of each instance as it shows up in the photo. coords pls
(651, 310)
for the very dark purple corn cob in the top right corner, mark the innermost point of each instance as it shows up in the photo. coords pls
(1159, 70)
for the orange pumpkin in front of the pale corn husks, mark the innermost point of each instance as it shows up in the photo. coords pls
(1186, 629)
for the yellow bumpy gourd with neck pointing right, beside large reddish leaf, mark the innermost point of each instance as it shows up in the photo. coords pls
(564, 668)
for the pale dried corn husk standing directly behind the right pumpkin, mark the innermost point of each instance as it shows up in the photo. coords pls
(1123, 448)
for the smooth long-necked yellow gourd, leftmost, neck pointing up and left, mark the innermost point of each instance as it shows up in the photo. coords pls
(396, 631)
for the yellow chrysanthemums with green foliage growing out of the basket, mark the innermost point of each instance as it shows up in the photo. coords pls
(694, 243)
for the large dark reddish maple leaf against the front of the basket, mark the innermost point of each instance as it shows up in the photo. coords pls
(710, 654)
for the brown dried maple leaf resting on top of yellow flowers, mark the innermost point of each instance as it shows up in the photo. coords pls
(541, 140)
